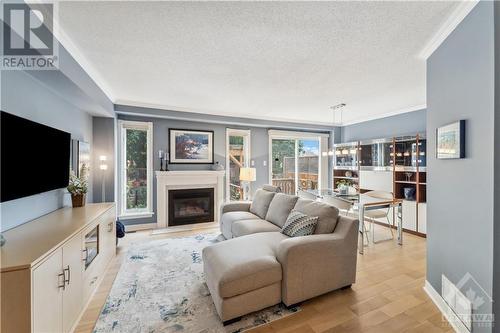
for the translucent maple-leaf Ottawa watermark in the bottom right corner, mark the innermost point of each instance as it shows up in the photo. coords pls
(475, 309)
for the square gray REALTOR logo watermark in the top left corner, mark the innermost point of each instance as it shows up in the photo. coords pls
(28, 42)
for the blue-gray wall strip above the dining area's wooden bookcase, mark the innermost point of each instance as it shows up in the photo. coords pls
(409, 123)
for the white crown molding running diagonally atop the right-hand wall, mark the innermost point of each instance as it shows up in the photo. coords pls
(457, 16)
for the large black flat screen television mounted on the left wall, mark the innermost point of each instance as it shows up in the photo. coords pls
(34, 158)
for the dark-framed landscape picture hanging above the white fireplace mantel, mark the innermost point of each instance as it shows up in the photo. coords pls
(191, 146)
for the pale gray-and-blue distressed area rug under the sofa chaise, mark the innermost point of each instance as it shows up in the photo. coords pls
(161, 288)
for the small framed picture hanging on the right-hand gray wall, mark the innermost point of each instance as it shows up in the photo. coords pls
(450, 140)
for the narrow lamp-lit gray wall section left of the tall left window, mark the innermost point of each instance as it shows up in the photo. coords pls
(103, 130)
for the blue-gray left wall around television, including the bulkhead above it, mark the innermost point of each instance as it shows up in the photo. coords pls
(65, 99)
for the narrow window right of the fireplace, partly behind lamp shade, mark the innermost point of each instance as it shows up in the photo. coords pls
(237, 156)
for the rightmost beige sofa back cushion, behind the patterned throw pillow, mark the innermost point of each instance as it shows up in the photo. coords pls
(327, 214)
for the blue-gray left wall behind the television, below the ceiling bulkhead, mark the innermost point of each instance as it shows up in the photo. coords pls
(27, 97)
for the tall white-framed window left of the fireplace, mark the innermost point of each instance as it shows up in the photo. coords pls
(135, 169)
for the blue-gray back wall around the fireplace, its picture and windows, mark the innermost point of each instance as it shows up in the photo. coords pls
(259, 148)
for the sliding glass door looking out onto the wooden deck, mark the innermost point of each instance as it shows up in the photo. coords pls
(296, 162)
